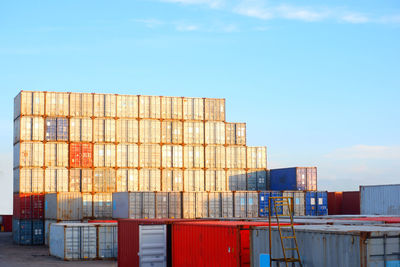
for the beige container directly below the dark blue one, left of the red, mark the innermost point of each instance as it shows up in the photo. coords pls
(56, 154)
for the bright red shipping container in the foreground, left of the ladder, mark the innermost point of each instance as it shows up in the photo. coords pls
(210, 243)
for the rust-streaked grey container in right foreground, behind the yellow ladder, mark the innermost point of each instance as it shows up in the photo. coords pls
(332, 245)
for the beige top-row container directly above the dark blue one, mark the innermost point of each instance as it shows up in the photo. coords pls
(57, 104)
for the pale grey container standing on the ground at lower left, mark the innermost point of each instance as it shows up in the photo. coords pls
(73, 241)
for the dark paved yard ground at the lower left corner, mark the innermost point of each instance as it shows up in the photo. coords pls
(12, 255)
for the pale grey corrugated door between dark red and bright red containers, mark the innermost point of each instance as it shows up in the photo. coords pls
(153, 245)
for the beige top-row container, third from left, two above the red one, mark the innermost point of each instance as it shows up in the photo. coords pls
(81, 104)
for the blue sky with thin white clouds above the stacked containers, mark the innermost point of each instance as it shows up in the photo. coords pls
(317, 82)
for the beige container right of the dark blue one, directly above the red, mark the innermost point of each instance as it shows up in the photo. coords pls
(80, 130)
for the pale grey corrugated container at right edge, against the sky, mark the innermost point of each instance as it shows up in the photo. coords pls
(380, 200)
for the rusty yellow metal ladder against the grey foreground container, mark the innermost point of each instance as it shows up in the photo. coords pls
(280, 202)
